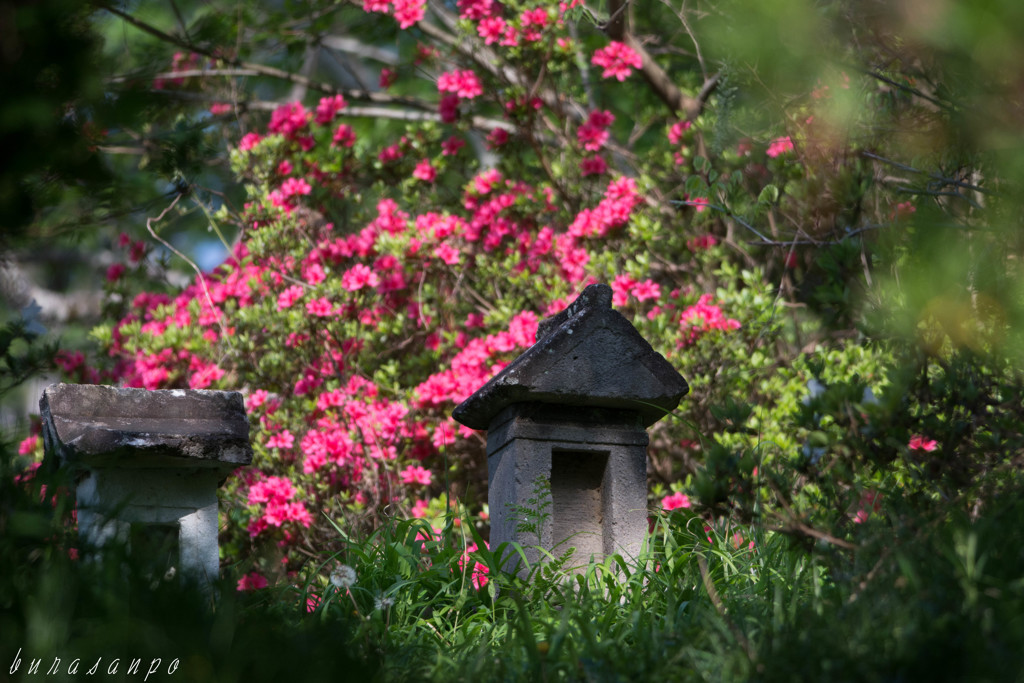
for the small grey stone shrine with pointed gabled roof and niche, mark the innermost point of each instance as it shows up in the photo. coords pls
(572, 414)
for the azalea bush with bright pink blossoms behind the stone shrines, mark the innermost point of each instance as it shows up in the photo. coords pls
(381, 279)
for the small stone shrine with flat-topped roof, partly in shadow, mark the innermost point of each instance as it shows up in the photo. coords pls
(148, 465)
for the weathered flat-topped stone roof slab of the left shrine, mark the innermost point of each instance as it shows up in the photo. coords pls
(103, 426)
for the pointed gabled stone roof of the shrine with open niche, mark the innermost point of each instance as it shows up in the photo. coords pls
(587, 356)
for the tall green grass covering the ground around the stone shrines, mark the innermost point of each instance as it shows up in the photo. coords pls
(915, 600)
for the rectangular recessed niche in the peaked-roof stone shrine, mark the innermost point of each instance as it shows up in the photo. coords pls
(578, 504)
